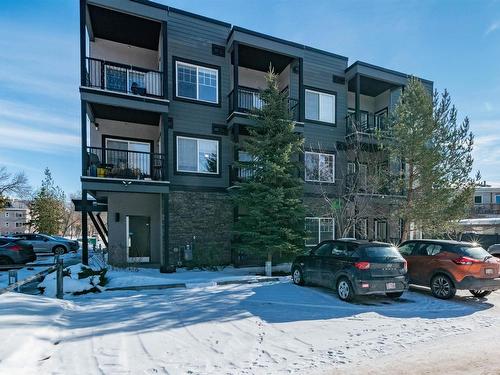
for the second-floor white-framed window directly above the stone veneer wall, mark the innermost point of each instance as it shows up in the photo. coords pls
(197, 155)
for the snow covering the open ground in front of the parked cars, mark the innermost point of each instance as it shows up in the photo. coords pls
(267, 328)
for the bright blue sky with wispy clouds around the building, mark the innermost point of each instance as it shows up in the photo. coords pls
(454, 43)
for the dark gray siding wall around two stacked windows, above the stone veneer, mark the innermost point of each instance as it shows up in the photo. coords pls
(190, 38)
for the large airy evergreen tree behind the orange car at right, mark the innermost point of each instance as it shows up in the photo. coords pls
(436, 151)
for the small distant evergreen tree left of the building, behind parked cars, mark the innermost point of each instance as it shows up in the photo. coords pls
(48, 207)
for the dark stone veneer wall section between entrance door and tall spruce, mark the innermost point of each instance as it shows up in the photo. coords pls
(206, 215)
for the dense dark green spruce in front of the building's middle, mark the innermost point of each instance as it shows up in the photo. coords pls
(270, 200)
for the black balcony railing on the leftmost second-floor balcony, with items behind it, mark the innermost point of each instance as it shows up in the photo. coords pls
(114, 163)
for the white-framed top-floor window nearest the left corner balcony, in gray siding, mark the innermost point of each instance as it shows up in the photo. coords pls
(197, 82)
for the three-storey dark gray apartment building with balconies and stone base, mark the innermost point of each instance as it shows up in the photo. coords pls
(165, 99)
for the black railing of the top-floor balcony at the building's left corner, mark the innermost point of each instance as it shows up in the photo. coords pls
(129, 79)
